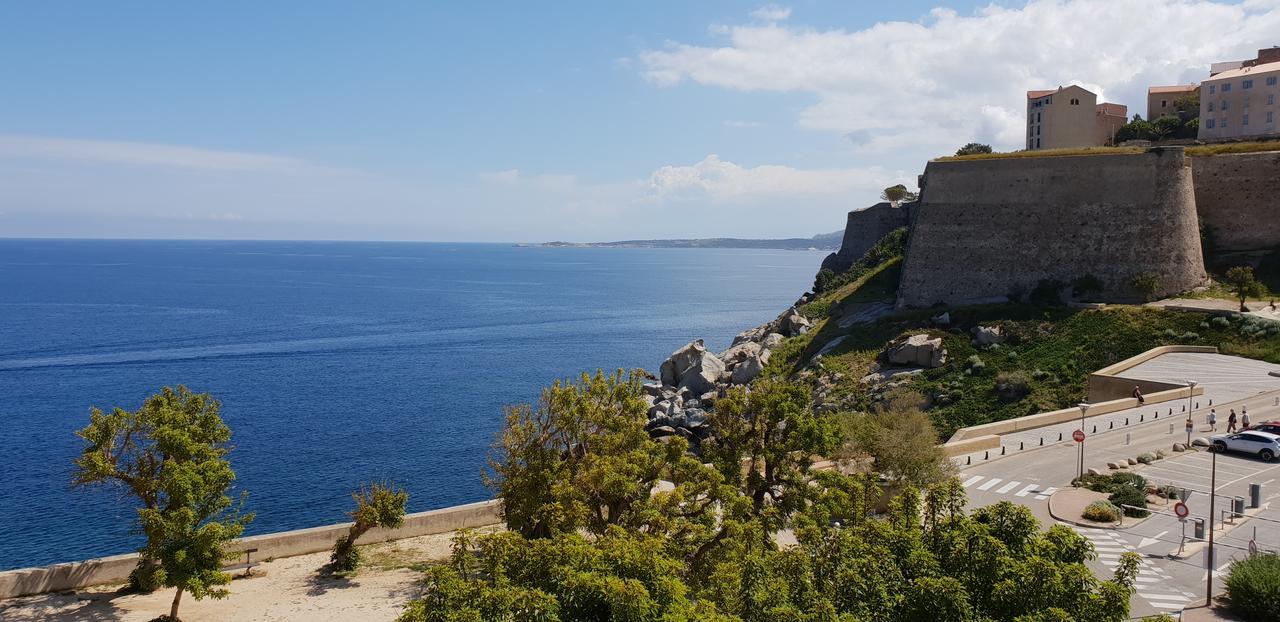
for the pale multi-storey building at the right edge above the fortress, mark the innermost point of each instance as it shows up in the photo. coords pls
(1244, 102)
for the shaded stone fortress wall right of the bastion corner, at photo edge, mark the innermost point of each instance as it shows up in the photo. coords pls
(1238, 199)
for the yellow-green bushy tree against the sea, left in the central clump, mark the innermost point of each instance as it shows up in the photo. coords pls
(583, 461)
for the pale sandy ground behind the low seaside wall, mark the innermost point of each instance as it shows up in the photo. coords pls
(282, 589)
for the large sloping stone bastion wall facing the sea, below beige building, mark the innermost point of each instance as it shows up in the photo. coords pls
(989, 228)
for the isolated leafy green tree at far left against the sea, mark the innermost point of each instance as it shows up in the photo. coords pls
(172, 456)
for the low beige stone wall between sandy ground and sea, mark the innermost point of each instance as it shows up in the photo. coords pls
(116, 569)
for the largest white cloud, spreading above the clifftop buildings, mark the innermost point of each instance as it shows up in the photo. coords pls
(950, 79)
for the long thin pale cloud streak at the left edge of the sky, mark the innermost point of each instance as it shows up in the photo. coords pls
(35, 148)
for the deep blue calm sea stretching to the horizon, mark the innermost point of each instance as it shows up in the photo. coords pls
(336, 363)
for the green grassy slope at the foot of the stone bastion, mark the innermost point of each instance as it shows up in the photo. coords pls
(1064, 345)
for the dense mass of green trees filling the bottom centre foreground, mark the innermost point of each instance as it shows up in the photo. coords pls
(592, 537)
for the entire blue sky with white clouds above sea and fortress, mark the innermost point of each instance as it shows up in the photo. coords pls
(532, 122)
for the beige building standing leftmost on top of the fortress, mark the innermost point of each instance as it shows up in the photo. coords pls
(1071, 117)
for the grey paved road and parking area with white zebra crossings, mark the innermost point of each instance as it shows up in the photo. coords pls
(1028, 477)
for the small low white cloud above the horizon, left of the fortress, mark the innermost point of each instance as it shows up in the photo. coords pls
(724, 181)
